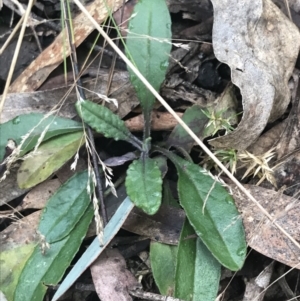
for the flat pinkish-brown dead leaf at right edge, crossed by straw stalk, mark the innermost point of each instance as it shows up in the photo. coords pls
(261, 234)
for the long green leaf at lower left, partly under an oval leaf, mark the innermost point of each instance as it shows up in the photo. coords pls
(47, 269)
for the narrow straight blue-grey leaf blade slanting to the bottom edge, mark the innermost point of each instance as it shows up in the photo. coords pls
(95, 249)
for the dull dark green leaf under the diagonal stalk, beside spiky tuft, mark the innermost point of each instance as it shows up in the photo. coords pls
(196, 120)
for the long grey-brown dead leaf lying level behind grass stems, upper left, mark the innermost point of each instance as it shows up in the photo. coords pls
(43, 101)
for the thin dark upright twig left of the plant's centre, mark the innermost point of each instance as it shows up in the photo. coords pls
(99, 188)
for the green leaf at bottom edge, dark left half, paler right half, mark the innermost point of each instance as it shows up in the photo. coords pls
(197, 271)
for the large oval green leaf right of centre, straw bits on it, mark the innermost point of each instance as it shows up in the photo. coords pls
(212, 212)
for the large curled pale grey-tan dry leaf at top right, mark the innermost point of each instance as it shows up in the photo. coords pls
(260, 45)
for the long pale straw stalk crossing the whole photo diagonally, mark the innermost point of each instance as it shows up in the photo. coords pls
(183, 124)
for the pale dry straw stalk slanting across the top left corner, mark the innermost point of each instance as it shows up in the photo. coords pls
(16, 54)
